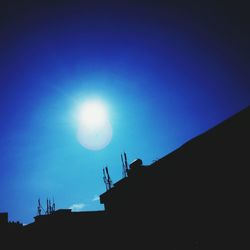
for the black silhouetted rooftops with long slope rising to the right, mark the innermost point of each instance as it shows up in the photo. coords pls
(193, 198)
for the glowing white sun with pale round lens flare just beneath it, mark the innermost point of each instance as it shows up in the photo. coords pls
(94, 128)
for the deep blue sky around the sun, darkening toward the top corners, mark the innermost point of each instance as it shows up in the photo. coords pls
(167, 72)
